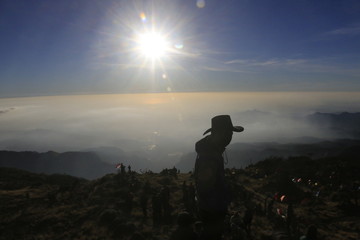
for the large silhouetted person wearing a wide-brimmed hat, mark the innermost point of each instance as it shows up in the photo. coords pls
(212, 193)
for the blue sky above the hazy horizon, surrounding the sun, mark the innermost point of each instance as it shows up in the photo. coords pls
(87, 46)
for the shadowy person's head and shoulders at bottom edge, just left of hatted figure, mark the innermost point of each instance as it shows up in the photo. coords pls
(184, 230)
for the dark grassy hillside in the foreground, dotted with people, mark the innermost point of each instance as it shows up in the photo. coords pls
(323, 193)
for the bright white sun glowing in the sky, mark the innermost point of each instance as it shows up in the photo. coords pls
(152, 45)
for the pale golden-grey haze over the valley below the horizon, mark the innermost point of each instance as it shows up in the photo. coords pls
(155, 131)
